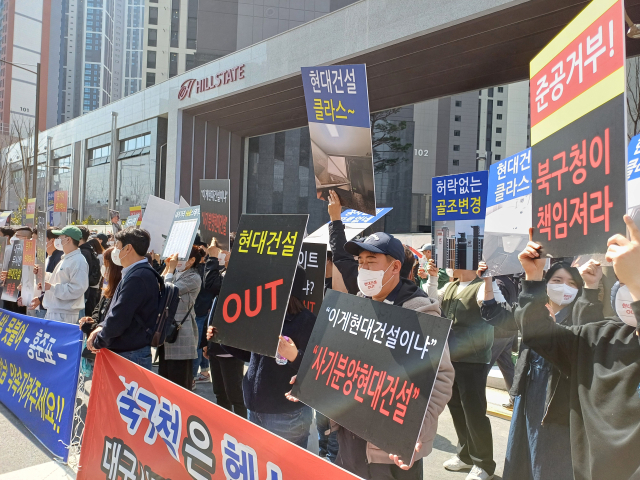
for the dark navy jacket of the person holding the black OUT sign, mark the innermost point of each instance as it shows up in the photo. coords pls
(266, 382)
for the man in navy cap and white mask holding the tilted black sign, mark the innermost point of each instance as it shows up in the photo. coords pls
(380, 259)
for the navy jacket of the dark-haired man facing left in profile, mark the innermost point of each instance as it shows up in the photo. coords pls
(134, 308)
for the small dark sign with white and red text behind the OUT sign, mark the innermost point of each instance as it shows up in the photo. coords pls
(214, 211)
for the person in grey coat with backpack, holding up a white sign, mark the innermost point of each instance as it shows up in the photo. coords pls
(176, 359)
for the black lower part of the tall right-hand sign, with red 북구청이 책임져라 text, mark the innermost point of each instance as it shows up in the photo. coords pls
(578, 180)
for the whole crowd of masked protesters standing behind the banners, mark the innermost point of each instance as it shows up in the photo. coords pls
(574, 388)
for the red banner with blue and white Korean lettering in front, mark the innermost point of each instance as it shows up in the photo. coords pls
(140, 425)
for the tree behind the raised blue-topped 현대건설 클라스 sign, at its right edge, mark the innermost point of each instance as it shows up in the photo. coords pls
(388, 149)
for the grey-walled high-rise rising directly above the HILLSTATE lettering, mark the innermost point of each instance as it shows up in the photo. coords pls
(183, 34)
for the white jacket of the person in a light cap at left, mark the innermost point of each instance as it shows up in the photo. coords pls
(69, 281)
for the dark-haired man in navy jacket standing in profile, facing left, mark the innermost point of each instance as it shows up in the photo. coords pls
(134, 305)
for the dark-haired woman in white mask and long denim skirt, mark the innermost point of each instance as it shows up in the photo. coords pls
(539, 446)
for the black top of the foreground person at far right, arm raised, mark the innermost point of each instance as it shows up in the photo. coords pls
(601, 361)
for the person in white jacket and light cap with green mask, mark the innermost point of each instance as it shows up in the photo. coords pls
(64, 290)
